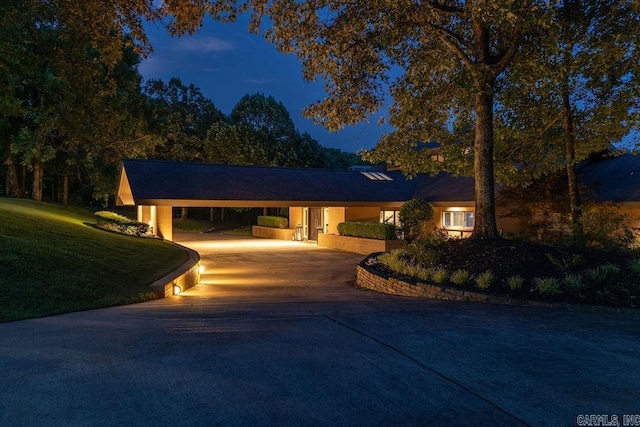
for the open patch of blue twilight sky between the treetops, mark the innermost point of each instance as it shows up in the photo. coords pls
(227, 62)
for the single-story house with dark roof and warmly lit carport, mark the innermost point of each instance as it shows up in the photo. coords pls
(320, 199)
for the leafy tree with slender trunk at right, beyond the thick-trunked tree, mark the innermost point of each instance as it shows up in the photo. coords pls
(573, 92)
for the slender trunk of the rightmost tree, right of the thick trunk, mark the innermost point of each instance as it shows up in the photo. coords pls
(572, 179)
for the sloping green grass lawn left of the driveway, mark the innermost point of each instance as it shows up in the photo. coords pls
(53, 261)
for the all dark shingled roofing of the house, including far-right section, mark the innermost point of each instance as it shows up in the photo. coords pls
(612, 179)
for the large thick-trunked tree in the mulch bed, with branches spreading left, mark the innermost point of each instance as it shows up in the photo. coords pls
(359, 47)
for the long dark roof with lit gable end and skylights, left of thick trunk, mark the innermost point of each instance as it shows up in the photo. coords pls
(154, 182)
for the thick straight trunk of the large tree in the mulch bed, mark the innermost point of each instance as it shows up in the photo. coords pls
(485, 215)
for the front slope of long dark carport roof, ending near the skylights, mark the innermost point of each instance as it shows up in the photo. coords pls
(200, 181)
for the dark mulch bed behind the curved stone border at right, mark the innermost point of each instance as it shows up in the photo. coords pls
(530, 261)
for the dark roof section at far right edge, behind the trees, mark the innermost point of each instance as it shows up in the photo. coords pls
(612, 179)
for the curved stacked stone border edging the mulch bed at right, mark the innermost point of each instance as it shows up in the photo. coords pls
(372, 279)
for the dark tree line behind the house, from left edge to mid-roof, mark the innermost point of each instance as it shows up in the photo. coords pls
(72, 105)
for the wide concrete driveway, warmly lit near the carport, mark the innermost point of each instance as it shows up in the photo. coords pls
(277, 335)
